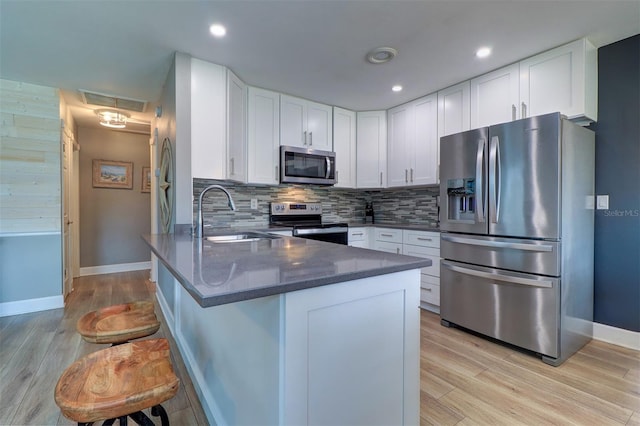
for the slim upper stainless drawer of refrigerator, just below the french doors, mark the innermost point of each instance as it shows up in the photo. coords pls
(529, 256)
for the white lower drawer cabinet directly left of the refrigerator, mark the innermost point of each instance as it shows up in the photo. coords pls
(427, 245)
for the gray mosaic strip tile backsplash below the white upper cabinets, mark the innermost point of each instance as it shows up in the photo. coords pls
(391, 206)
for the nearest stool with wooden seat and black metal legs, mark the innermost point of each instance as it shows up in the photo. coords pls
(117, 382)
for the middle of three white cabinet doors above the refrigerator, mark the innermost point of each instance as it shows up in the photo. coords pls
(495, 97)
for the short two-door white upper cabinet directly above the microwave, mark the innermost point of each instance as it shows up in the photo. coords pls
(305, 123)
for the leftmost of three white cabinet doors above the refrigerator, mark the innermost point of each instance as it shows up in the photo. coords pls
(454, 109)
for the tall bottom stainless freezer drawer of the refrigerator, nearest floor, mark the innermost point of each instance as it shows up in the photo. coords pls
(520, 309)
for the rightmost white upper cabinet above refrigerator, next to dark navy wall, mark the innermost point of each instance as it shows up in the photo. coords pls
(562, 79)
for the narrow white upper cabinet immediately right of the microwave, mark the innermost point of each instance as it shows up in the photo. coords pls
(344, 145)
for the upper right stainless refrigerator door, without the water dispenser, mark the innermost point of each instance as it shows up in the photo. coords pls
(524, 178)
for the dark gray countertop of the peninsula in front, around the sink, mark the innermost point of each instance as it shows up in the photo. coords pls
(216, 274)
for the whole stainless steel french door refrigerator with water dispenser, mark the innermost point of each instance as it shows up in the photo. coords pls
(517, 233)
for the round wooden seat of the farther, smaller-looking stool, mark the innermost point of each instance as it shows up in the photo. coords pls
(119, 323)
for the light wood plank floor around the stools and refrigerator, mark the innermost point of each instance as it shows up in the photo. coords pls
(465, 379)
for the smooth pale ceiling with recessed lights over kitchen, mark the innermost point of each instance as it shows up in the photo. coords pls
(309, 48)
